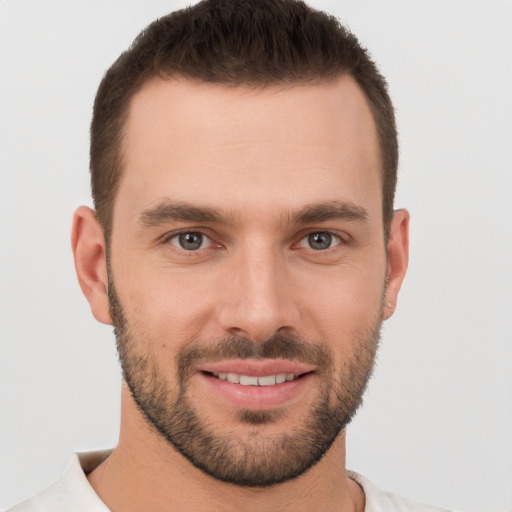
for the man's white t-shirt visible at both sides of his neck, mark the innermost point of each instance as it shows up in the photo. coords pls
(73, 493)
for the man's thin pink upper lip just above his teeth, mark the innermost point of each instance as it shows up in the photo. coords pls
(257, 368)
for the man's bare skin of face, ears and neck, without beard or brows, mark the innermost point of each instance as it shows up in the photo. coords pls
(258, 157)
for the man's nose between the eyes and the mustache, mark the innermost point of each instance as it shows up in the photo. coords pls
(258, 298)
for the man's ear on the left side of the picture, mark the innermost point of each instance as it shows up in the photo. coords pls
(89, 251)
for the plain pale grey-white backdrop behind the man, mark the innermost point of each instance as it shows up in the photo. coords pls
(437, 420)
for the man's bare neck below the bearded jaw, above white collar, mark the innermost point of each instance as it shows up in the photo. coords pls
(144, 472)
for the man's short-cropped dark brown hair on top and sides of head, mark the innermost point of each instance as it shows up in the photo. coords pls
(255, 43)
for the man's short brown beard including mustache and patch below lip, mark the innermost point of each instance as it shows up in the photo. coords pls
(260, 460)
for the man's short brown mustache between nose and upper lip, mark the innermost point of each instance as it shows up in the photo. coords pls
(279, 346)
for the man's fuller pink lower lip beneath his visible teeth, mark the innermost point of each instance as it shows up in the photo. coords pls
(258, 397)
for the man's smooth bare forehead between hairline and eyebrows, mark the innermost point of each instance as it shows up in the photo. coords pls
(203, 143)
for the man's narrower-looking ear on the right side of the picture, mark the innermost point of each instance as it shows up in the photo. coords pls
(398, 259)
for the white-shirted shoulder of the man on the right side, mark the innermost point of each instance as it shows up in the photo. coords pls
(383, 501)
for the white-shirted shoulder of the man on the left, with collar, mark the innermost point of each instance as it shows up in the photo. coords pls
(71, 493)
